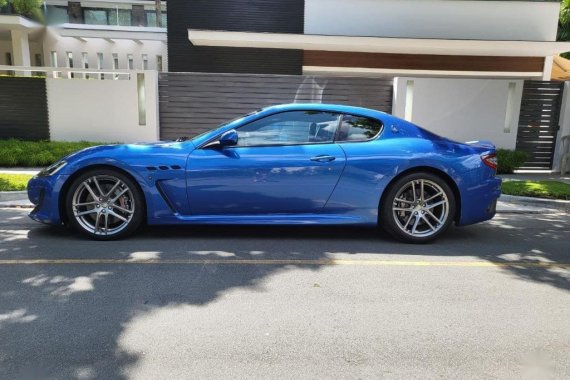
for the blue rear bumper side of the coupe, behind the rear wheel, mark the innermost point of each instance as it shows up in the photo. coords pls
(479, 203)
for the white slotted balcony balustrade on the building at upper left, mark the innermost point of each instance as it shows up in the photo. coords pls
(92, 46)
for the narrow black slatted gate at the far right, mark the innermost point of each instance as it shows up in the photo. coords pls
(538, 123)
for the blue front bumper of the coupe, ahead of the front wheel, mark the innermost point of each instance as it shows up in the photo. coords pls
(44, 193)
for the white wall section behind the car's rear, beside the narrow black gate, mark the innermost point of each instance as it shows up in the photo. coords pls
(462, 109)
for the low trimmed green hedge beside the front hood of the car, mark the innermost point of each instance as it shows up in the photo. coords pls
(17, 153)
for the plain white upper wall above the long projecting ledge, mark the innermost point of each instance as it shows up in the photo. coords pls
(487, 20)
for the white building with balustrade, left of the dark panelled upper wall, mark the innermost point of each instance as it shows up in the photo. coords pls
(100, 34)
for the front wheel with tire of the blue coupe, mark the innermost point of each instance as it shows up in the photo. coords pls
(104, 204)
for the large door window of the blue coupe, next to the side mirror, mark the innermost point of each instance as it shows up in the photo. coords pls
(290, 128)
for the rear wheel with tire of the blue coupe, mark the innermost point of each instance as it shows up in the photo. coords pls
(413, 216)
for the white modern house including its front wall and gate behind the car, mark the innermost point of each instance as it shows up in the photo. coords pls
(466, 69)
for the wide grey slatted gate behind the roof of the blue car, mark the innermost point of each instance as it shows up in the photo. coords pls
(191, 103)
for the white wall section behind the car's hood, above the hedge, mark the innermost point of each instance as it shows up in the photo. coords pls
(102, 110)
